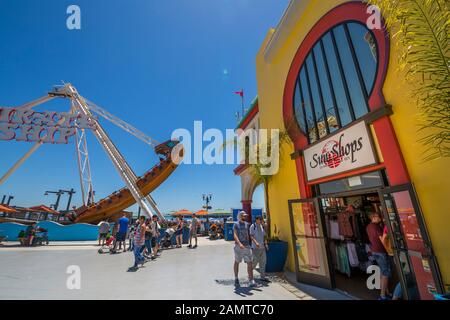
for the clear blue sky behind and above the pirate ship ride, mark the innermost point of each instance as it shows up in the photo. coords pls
(159, 65)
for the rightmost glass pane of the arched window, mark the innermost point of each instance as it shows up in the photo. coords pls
(366, 51)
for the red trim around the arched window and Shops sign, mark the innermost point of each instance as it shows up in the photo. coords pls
(393, 159)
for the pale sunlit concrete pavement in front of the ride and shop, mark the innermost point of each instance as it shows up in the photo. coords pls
(201, 273)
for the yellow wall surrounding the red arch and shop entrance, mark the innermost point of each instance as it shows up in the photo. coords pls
(431, 179)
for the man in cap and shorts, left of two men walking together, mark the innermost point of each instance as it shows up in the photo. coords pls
(242, 250)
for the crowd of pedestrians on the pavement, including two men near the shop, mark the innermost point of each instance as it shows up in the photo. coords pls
(146, 241)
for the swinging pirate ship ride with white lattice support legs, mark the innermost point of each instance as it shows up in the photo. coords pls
(136, 190)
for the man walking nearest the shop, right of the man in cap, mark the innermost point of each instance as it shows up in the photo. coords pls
(259, 246)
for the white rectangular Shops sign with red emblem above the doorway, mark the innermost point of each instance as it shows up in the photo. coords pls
(346, 150)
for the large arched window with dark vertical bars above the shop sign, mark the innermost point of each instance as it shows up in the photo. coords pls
(336, 80)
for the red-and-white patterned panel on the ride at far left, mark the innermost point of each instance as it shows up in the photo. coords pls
(48, 127)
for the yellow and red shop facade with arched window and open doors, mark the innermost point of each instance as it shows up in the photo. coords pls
(333, 83)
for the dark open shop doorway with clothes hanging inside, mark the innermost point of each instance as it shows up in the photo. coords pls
(346, 219)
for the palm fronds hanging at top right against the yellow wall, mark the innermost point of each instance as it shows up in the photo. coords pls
(422, 28)
